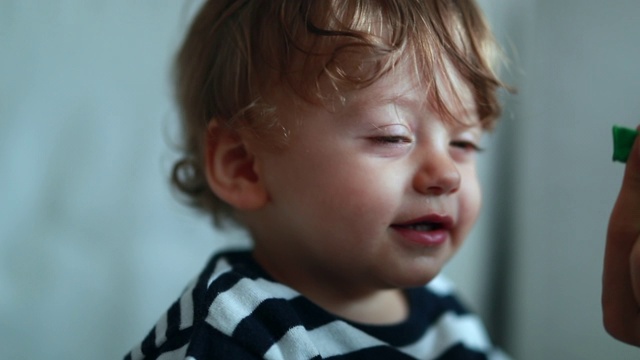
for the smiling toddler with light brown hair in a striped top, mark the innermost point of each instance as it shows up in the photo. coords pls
(343, 135)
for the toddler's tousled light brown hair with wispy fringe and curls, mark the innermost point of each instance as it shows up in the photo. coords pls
(238, 51)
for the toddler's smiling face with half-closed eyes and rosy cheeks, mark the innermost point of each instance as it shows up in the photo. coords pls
(377, 193)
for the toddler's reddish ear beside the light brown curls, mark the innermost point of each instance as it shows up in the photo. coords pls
(231, 169)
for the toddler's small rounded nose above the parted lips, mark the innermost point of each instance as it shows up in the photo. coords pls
(437, 175)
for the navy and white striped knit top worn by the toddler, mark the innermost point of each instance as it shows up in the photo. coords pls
(234, 310)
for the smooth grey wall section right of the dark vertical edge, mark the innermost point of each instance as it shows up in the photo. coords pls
(580, 75)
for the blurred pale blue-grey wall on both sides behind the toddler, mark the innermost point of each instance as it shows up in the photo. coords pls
(93, 247)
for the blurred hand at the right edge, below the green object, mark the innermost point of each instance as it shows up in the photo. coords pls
(621, 277)
